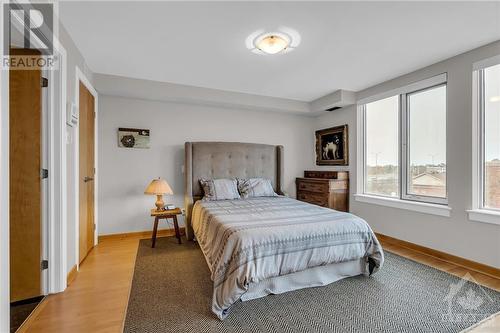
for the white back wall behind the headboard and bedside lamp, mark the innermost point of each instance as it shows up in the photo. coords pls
(125, 173)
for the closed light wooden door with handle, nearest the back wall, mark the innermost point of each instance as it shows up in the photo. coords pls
(86, 167)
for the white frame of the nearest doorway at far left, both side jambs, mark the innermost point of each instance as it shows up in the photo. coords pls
(57, 183)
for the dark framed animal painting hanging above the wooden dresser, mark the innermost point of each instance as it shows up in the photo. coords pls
(332, 146)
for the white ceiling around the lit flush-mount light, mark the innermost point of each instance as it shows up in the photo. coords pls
(344, 45)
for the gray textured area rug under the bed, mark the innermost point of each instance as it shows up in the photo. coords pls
(172, 290)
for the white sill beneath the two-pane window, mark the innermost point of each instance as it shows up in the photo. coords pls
(421, 207)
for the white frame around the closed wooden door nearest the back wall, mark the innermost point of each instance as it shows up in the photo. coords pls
(80, 77)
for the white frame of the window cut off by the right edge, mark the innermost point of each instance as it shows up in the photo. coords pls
(479, 211)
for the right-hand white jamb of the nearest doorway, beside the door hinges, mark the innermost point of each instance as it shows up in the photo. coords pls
(54, 188)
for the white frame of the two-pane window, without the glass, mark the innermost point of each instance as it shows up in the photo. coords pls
(433, 205)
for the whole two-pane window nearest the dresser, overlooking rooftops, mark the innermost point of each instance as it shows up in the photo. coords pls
(404, 143)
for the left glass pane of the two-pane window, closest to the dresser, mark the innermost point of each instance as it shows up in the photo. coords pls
(382, 147)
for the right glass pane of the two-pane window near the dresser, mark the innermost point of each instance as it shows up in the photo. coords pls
(427, 142)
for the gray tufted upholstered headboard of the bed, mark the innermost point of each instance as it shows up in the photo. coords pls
(228, 160)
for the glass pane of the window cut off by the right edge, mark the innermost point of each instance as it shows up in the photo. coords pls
(492, 137)
